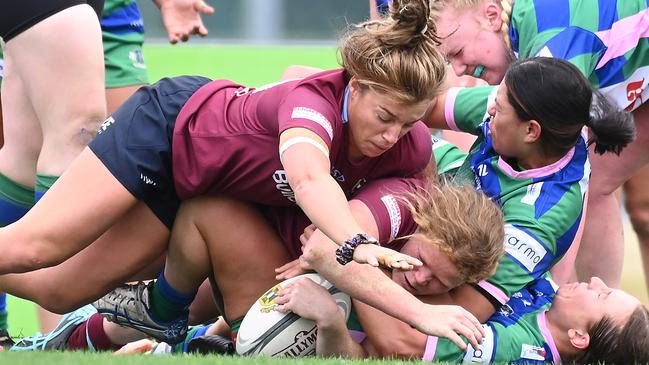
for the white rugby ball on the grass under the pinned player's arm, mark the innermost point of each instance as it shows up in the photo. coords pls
(265, 331)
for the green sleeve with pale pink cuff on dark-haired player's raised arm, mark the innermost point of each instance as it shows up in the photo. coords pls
(466, 108)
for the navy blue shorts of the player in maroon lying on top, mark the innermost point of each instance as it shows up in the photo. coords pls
(135, 143)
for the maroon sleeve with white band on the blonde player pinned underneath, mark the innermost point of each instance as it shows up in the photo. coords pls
(384, 198)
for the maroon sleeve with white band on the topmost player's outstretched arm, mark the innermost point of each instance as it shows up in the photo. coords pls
(306, 107)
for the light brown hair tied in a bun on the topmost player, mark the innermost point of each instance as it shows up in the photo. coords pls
(399, 54)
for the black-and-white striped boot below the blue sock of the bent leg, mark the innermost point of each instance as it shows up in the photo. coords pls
(130, 306)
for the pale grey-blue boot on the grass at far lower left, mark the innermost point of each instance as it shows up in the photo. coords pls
(58, 338)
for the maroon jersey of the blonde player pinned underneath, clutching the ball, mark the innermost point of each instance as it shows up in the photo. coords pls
(382, 197)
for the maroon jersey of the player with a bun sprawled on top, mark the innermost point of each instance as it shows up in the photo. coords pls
(226, 139)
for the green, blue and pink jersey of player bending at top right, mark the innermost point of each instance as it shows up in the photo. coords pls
(608, 40)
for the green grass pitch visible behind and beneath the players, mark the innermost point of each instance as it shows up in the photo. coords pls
(252, 66)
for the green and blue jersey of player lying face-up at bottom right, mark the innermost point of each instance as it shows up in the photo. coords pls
(517, 333)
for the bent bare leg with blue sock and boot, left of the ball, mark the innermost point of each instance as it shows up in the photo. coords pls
(222, 235)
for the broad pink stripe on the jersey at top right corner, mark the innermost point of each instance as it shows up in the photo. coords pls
(623, 36)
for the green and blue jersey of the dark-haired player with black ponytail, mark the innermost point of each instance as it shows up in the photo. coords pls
(542, 207)
